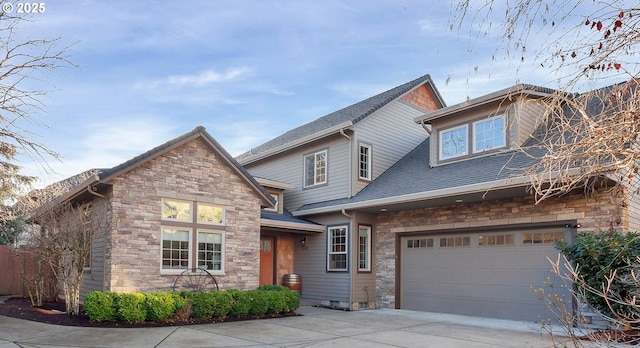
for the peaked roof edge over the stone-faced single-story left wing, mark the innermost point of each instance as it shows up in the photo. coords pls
(101, 177)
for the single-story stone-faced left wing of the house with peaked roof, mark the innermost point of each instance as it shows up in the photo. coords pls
(185, 204)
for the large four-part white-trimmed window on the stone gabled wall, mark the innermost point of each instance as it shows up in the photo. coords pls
(189, 239)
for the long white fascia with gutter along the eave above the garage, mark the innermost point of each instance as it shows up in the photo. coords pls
(421, 196)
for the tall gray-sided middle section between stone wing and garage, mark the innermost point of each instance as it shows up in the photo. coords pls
(331, 159)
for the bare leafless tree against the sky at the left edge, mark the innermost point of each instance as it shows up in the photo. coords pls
(22, 63)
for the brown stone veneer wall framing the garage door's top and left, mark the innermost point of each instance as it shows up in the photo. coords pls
(595, 214)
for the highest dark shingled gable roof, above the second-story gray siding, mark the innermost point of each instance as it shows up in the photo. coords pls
(334, 122)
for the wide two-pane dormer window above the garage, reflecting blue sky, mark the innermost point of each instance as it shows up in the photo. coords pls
(486, 134)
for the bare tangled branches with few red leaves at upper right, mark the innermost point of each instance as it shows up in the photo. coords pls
(591, 134)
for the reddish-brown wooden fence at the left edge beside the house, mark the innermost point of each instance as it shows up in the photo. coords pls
(15, 264)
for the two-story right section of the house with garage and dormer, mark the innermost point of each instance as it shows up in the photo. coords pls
(444, 222)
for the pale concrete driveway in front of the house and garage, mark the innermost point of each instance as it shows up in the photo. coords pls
(318, 327)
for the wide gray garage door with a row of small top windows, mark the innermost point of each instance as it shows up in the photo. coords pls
(488, 274)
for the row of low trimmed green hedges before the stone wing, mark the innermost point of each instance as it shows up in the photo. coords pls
(164, 306)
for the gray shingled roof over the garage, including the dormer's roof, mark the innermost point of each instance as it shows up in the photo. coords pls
(412, 180)
